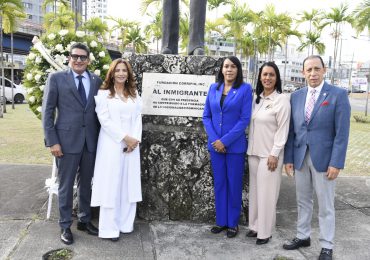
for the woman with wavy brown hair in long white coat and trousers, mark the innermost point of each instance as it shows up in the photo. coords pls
(116, 184)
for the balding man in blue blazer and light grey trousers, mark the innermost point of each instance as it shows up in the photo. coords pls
(316, 150)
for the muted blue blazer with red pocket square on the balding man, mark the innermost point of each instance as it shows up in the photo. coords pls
(326, 135)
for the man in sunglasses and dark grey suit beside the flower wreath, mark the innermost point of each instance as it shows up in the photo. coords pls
(71, 131)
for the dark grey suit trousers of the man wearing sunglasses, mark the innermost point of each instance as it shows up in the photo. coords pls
(70, 165)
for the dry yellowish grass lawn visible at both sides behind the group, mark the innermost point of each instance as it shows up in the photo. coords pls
(21, 141)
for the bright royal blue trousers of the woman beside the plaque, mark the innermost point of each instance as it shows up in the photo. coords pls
(228, 170)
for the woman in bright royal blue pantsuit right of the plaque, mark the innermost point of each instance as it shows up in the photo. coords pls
(226, 116)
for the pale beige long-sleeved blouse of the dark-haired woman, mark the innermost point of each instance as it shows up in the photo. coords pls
(269, 126)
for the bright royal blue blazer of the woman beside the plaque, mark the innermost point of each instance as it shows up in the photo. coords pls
(229, 122)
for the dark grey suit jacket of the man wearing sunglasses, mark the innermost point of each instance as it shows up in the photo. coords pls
(65, 119)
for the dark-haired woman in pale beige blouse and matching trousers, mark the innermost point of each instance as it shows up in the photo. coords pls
(268, 133)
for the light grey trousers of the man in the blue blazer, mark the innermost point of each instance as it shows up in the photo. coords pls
(307, 180)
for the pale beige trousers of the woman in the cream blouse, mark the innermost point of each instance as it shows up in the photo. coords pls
(264, 188)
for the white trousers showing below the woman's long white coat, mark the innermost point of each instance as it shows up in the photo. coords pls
(121, 218)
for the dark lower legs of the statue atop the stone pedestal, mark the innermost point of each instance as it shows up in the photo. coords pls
(170, 27)
